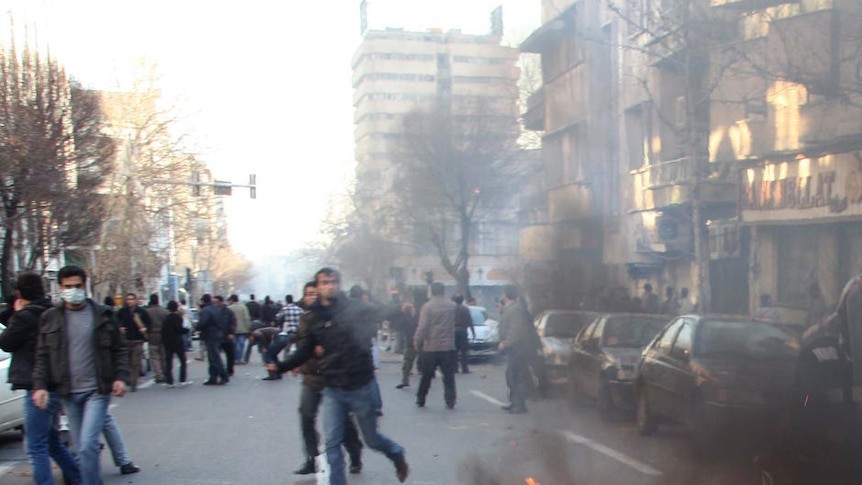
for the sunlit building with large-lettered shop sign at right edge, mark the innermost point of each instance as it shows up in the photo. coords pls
(793, 127)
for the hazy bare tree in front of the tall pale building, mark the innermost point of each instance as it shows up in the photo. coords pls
(455, 170)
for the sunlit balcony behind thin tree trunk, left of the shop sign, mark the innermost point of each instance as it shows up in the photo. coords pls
(667, 184)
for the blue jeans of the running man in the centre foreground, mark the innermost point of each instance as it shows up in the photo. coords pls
(337, 404)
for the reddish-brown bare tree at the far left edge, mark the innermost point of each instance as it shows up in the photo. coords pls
(53, 157)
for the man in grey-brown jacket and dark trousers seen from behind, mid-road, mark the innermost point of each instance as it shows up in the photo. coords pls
(435, 336)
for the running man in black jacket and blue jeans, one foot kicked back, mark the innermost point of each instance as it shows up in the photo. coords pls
(339, 332)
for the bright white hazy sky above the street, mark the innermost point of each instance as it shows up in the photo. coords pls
(265, 86)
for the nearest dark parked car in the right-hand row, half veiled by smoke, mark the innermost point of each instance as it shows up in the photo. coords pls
(712, 373)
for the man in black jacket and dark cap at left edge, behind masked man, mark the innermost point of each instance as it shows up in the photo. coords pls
(19, 339)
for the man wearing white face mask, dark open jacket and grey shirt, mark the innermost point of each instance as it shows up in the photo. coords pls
(81, 355)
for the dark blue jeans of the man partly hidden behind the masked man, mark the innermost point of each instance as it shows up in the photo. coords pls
(43, 441)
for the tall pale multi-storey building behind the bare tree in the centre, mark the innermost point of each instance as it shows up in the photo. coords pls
(396, 72)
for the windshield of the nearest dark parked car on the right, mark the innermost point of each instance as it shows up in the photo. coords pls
(743, 339)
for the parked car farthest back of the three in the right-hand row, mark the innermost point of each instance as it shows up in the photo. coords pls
(557, 329)
